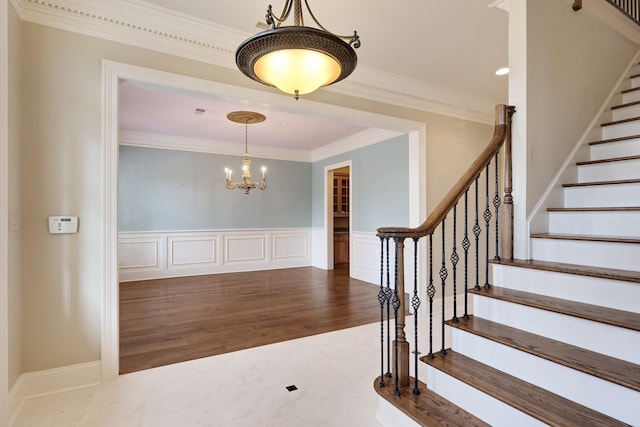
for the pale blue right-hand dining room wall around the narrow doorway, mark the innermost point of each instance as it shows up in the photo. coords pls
(379, 187)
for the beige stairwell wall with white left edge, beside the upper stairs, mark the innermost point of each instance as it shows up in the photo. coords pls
(563, 67)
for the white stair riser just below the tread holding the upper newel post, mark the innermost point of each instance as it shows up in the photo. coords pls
(609, 293)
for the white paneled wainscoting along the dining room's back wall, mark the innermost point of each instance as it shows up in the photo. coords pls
(154, 255)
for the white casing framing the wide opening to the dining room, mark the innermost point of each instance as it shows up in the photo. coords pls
(113, 73)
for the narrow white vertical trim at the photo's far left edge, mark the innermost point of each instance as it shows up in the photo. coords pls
(4, 211)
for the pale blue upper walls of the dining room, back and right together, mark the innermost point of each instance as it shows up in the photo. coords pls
(164, 190)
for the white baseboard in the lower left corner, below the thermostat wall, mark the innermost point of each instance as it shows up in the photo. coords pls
(51, 381)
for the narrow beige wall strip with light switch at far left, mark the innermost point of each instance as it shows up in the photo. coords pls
(15, 237)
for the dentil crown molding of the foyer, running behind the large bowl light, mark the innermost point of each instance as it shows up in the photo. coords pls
(143, 25)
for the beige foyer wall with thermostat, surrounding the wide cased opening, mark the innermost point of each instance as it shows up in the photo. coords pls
(61, 172)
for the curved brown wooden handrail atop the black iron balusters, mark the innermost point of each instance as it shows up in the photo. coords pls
(500, 133)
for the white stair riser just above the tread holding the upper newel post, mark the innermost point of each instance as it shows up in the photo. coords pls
(622, 256)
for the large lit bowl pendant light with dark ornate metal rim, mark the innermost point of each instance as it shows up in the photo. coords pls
(297, 59)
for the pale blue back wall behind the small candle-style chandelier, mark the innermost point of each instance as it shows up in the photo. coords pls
(180, 190)
